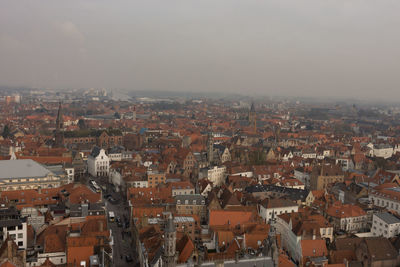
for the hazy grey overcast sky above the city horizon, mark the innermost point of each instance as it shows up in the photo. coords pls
(274, 47)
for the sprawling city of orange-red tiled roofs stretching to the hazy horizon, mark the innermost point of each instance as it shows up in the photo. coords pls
(88, 179)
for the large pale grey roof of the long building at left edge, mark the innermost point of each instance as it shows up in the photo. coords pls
(22, 168)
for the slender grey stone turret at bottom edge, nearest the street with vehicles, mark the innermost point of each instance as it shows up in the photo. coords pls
(169, 243)
